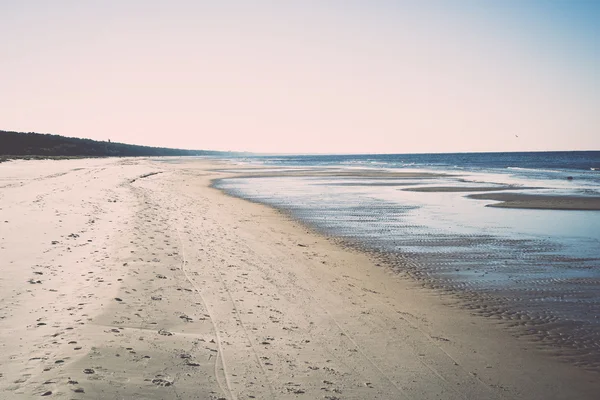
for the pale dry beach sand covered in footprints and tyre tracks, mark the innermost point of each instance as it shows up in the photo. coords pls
(134, 279)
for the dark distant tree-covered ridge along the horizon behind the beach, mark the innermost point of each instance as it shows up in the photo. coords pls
(37, 144)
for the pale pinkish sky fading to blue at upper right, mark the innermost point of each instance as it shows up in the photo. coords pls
(326, 76)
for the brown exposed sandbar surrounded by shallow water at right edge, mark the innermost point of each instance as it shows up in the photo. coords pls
(539, 201)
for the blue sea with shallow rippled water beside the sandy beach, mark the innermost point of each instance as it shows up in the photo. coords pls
(536, 272)
